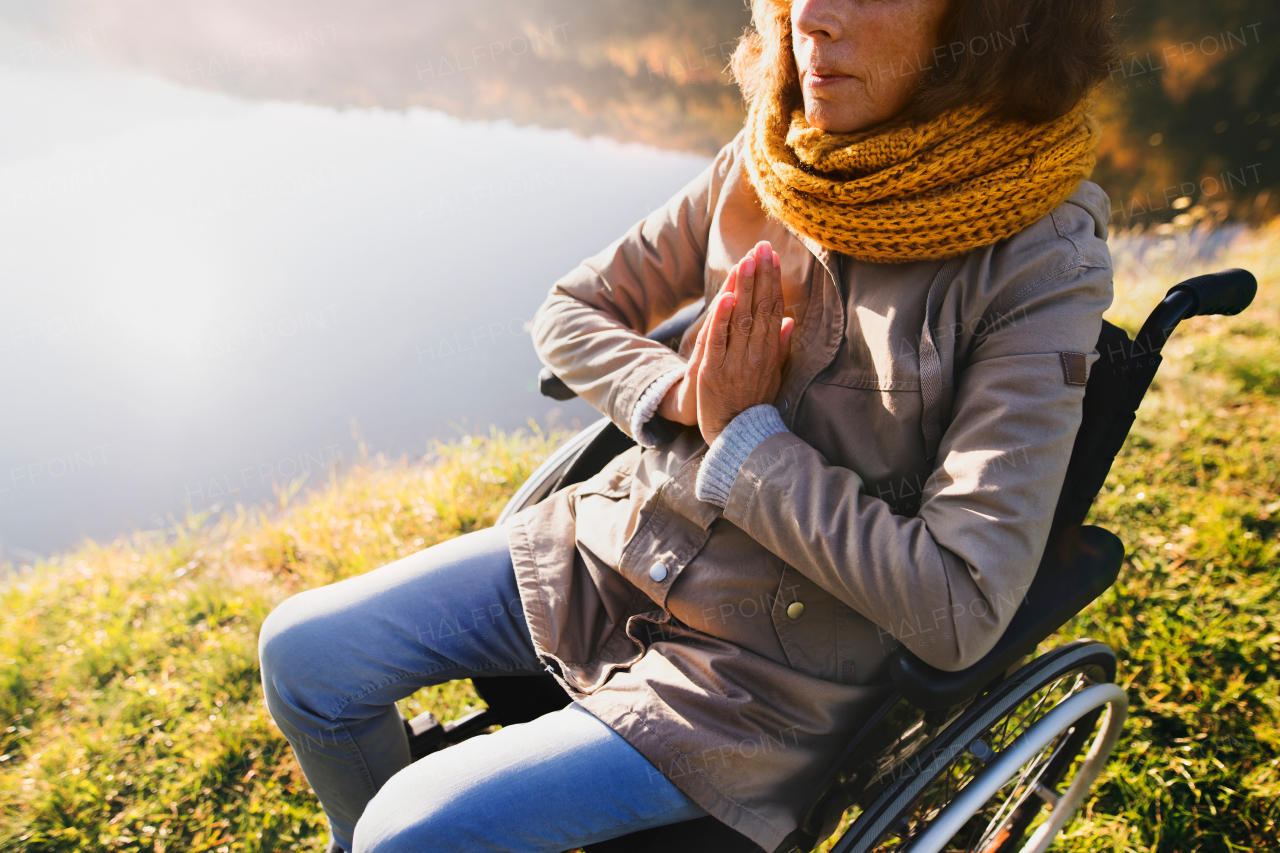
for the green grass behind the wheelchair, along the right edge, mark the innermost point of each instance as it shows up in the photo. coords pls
(1196, 613)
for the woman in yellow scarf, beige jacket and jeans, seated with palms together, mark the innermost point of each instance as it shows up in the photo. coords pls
(906, 272)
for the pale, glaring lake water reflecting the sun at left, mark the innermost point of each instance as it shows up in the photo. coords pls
(200, 295)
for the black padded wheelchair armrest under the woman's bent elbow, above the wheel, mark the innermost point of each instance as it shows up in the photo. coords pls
(1077, 568)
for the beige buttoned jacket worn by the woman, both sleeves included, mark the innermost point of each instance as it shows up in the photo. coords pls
(734, 694)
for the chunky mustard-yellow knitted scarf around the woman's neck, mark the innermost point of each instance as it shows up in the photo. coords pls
(916, 191)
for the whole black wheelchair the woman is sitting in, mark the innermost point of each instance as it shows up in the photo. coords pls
(993, 759)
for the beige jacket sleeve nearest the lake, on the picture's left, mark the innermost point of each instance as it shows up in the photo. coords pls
(591, 330)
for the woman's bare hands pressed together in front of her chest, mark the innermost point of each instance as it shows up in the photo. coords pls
(742, 348)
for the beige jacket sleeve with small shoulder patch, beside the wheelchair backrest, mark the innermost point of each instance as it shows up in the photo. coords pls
(959, 569)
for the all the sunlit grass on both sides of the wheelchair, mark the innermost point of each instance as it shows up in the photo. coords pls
(130, 699)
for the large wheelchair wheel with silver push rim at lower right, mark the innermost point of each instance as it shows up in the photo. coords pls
(986, 781)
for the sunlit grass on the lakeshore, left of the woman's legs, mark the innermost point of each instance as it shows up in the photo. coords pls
(129, 672)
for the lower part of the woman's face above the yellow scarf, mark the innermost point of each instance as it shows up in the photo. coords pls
(861, 61)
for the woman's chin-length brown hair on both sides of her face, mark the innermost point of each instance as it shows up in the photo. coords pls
(1027, 60)
